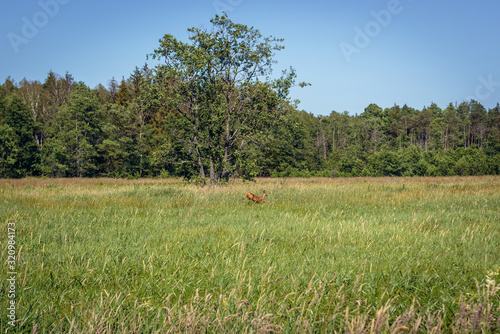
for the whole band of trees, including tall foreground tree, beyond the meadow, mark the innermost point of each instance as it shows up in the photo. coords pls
(212, 109)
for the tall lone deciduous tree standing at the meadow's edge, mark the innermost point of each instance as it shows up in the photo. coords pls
(219, 86)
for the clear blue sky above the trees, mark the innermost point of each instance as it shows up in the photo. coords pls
(352, 52)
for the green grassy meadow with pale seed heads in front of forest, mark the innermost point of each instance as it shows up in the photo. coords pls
(360, 255)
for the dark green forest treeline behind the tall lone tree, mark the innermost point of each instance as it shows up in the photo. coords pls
(89, 136)
